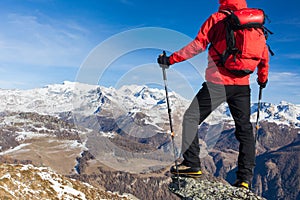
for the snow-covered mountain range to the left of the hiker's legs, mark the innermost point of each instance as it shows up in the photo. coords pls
(88, 99)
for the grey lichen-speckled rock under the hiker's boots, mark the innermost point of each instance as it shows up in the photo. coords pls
(209, 188)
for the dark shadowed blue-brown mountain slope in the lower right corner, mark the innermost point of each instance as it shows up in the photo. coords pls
(277, 173)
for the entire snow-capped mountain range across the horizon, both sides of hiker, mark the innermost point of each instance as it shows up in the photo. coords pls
(129, 100)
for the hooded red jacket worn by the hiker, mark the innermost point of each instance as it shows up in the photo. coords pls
(213, 32)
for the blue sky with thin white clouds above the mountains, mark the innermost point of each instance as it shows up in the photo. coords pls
(49, 41)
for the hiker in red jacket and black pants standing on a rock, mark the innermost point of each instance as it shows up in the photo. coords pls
(226, 81)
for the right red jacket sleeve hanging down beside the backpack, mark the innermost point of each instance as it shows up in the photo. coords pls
(263, 66)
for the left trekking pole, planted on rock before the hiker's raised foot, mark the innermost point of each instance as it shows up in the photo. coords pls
(170, 119)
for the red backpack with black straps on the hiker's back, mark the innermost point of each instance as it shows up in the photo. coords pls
(242, 26)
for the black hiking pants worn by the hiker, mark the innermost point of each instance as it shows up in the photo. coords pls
(208, 99)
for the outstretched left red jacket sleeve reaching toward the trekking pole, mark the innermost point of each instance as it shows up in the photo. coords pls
(198, 45)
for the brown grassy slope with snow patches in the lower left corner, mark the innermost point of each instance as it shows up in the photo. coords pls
(24, 182)
